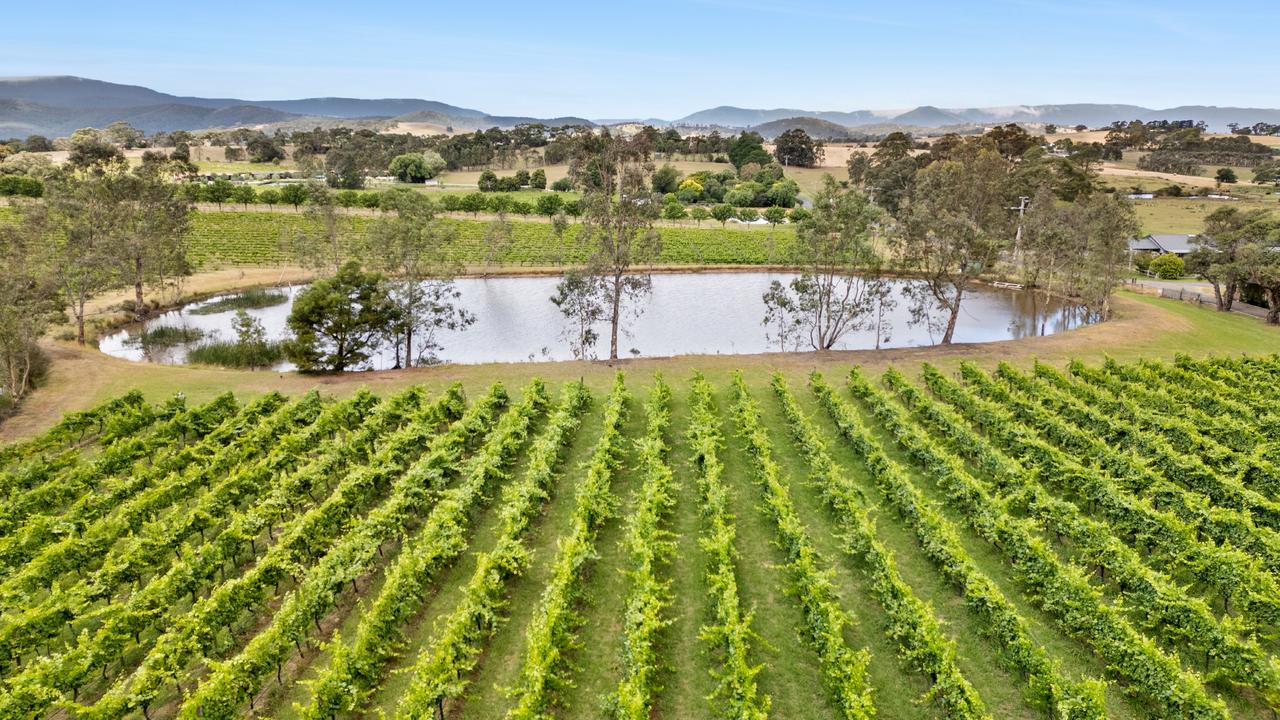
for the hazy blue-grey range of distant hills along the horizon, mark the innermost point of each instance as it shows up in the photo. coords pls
(60, 106)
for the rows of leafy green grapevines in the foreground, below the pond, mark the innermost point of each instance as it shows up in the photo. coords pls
(1077, 543)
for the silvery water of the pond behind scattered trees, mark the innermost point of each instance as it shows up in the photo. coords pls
(688, 313)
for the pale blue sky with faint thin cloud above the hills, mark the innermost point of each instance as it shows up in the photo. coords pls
(666, 58)
